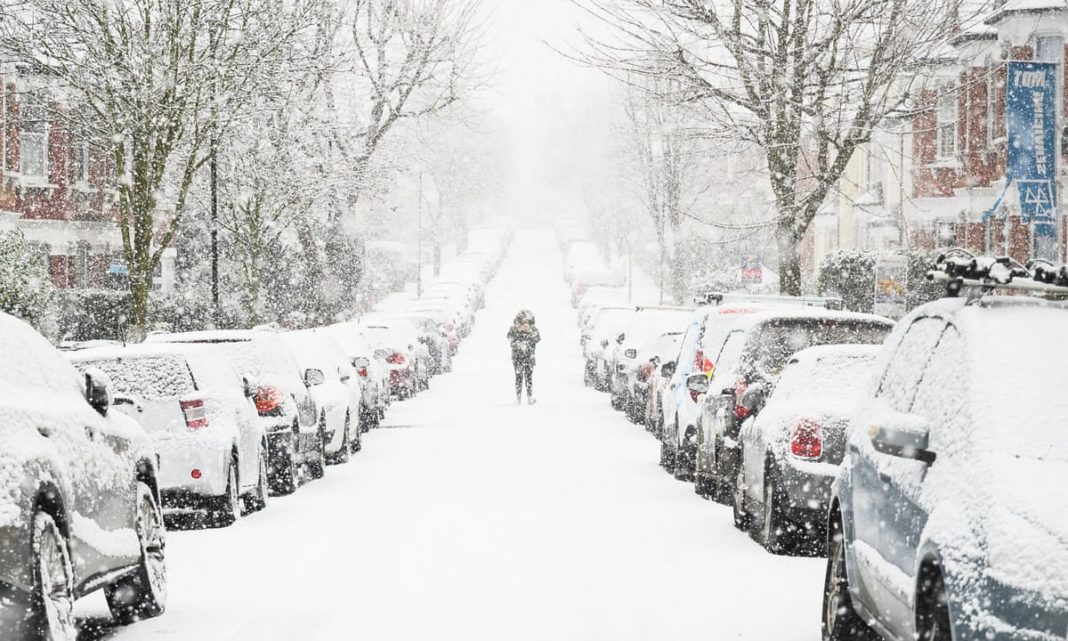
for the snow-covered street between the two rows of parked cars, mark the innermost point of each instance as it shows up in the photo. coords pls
(469, 518)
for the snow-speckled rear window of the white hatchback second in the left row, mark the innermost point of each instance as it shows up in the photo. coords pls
(149, 378)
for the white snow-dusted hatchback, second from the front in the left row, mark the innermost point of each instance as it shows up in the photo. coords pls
(199, 412)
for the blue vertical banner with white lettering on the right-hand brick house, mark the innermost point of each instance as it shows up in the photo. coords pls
(1031, 114)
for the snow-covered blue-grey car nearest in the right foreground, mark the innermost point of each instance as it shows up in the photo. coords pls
(948, 520)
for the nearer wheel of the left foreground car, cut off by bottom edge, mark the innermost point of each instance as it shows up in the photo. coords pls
(52, 611)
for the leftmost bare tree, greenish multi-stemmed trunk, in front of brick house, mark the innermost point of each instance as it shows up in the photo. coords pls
(161, 80)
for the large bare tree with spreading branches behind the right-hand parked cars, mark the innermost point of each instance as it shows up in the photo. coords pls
(804, 81)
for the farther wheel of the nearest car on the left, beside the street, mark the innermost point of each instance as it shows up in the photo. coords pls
(144, 593)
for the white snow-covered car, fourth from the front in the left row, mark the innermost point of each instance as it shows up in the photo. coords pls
(336, 390)
